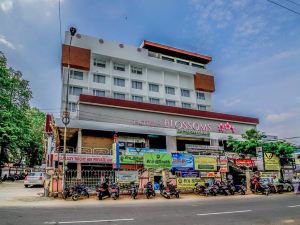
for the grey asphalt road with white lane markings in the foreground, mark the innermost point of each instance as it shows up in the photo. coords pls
(273, 209)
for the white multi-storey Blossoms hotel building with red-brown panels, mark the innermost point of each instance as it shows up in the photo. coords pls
(151, 96)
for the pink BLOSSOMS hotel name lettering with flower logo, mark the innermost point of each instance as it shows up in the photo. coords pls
(187, 127)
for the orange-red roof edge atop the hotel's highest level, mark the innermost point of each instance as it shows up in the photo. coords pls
(146, 44)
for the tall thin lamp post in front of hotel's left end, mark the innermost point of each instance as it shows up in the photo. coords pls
(66, 113)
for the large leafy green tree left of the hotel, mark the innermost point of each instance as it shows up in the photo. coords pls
(21, 128)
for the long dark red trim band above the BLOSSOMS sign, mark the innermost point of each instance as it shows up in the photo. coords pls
(165, 109)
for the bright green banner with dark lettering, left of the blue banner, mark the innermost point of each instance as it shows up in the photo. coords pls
(158, 160)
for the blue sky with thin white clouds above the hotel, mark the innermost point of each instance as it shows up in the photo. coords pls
(255, 46)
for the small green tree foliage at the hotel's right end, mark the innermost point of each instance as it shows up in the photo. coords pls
(253, 139)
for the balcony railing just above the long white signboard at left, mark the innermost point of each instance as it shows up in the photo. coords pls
(85, 150)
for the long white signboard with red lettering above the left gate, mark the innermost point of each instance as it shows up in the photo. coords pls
(84, 158)
